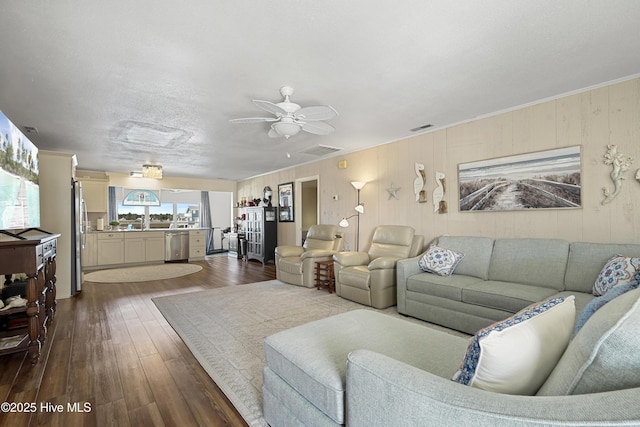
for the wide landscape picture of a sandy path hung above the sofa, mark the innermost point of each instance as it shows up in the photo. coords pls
(541, 180)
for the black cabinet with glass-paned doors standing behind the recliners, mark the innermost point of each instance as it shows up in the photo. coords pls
(261, 233)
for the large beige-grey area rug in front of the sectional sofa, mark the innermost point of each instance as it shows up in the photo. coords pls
(225, 328)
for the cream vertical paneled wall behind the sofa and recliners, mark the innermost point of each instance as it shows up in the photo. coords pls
(591, 119)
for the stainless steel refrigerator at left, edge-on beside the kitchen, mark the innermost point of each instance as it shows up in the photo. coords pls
(79, 227)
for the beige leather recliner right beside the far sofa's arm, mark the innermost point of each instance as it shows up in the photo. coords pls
(369, 278)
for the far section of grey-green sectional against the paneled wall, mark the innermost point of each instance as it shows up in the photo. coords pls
(499, 277)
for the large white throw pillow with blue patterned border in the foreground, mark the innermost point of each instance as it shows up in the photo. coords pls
(516, 355)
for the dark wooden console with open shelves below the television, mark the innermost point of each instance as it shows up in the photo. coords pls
(25, 328)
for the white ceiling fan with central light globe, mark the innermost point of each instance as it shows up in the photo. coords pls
(291, 118)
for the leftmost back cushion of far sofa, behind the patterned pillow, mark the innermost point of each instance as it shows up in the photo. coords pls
(477, 252)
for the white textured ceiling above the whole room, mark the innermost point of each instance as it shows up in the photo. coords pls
(122, 83)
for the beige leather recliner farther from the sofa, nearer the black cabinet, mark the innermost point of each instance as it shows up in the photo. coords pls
(296, 264)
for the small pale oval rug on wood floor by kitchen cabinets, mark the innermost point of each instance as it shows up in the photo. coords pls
(143, 273)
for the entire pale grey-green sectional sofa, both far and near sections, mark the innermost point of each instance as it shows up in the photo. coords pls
(365, 368)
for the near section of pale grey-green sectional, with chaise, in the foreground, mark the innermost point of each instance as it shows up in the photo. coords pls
(364, 368)
